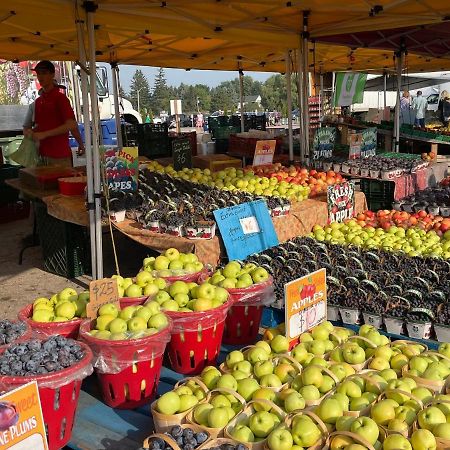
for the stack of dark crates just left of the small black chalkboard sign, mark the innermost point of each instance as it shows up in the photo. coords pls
(153, 140)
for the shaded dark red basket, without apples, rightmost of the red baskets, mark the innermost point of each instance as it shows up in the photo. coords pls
(244, 317)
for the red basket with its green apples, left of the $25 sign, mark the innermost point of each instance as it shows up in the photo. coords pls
(61, 314)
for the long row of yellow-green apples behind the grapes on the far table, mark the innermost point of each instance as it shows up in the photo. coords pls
(232, 179)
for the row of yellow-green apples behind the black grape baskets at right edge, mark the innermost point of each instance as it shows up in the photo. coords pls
(413, 241)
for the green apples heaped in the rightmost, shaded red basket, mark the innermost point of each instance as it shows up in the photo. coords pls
(237, 275)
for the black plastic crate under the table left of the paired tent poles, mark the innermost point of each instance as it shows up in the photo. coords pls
(65, 246)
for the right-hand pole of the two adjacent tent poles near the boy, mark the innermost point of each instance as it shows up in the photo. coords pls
(95, 141)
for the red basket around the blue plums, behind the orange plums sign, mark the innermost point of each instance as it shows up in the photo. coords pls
(58, 393)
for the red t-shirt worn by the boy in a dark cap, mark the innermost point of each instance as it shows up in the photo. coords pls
(52, 109)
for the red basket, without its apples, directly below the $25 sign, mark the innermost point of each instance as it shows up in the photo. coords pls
(128, 371)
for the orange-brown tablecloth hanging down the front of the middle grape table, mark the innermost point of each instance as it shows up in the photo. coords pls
(300, 220)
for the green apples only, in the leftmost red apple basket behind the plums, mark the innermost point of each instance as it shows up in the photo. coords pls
(61, 307)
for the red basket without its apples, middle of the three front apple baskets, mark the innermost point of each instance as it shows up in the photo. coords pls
(196, 338)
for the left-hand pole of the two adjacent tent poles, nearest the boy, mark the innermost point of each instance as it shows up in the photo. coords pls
(88, 145)
